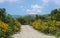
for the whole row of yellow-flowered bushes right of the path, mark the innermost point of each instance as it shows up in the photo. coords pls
(50, 26)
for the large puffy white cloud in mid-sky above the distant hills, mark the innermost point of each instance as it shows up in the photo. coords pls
(35, 9)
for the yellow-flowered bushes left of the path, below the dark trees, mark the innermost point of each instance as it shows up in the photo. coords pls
(6, 29)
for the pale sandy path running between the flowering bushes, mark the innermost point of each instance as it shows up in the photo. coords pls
(28, 32)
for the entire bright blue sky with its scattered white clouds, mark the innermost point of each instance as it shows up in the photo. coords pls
(24, 7)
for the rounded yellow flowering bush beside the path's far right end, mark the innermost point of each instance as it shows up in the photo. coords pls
(39, 25)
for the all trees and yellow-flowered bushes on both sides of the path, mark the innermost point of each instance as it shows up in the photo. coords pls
(49, 23)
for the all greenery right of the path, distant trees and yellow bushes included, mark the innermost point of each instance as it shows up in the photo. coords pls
(49, 23)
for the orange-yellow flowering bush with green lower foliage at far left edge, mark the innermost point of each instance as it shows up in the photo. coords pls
(3, 29)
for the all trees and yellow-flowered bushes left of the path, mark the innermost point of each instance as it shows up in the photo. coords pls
(8, 25)
